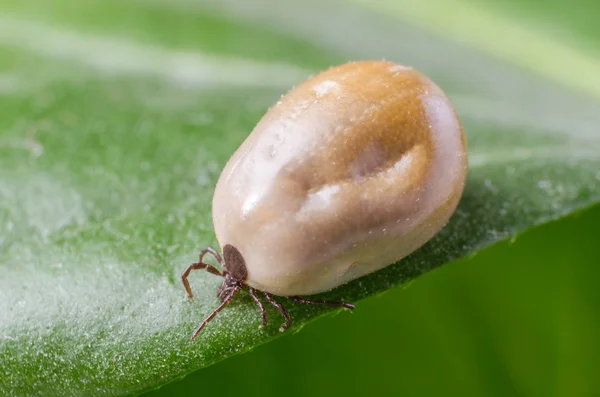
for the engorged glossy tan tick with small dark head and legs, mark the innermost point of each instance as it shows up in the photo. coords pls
(349, 172)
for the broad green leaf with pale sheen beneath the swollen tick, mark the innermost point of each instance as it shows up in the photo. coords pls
(116, 119)
